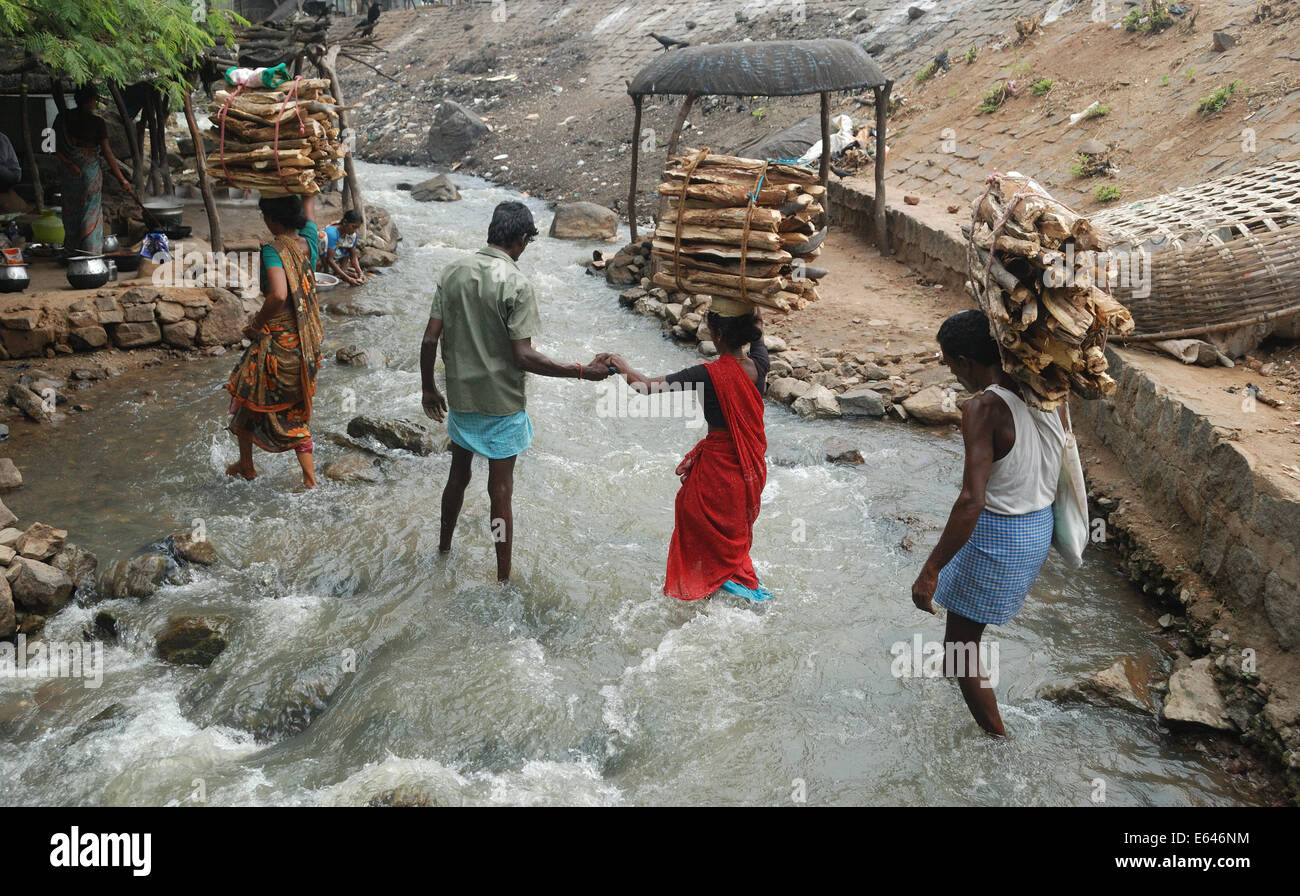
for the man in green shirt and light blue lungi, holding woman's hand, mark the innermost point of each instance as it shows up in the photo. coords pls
(486, 314)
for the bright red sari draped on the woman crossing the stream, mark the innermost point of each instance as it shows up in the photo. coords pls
(722, 487)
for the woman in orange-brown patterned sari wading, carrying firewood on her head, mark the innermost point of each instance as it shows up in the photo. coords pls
(274, 384)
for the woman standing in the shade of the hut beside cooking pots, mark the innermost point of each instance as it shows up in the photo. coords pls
(83, 146)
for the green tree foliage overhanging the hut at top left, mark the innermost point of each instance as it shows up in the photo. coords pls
(119, 41)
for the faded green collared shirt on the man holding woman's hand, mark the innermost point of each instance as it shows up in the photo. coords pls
(486, 302)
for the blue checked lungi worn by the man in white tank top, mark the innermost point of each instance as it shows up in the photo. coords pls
(994, 572)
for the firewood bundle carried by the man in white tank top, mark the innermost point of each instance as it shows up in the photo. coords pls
(1034, 270)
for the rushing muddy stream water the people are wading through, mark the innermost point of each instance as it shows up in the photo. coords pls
(580, 685)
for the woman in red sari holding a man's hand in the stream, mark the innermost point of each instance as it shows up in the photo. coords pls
(723, 477)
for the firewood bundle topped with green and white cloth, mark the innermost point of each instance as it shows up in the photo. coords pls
(276, 140)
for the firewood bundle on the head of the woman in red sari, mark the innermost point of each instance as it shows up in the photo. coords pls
(742, 231)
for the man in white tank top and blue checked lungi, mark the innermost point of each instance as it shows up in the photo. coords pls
(1000, 529)
